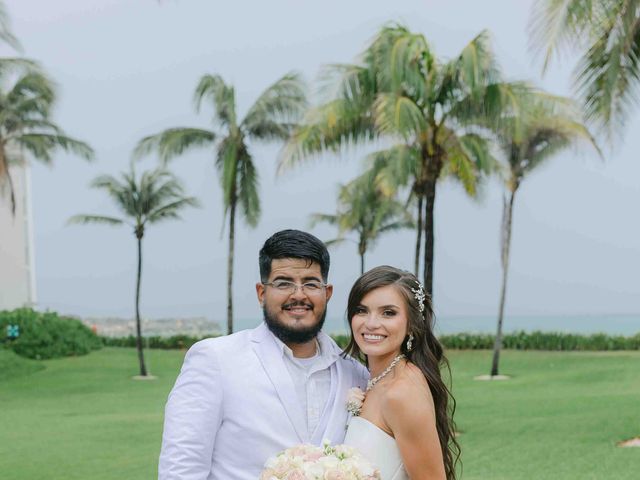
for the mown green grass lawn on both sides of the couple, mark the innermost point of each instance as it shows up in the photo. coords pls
(558, 418)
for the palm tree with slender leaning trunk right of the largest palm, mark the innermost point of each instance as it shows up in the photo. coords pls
(539, 128)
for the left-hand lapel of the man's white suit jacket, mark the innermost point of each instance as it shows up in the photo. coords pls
(271, 358)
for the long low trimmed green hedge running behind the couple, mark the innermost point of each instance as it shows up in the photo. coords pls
(460, 341)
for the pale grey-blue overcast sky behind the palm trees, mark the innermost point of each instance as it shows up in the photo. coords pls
(127, 69)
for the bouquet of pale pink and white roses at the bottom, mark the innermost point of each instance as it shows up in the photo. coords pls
(308, 462)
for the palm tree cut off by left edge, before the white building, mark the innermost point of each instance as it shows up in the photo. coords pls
(25, 120)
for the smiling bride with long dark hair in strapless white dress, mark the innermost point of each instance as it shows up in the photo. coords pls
(404, 422)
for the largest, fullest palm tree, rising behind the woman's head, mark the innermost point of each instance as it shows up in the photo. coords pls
(401, 93)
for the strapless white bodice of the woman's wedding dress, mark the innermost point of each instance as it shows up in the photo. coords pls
(378, 447)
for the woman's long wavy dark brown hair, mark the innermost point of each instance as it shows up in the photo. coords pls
(426, 353)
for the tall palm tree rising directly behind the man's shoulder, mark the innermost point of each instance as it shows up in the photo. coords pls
(271, 117)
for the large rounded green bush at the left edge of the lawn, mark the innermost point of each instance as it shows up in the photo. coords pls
(46, 335)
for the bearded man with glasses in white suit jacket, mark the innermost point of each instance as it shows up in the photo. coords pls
(242, 398)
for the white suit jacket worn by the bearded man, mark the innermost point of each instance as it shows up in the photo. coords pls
(234, 405)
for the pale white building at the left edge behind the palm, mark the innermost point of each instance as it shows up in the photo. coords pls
(17, 275)
